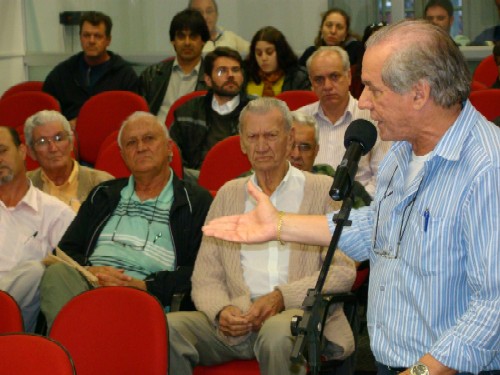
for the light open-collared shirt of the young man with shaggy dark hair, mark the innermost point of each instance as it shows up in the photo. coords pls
(179, 85)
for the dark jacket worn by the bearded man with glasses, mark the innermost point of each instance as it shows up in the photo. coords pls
(191, 127)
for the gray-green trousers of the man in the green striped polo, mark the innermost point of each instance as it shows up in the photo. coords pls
(60, 284)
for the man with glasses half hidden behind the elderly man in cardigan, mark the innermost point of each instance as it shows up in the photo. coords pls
(306, 148)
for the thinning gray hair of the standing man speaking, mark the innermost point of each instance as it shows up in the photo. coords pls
(423, 52)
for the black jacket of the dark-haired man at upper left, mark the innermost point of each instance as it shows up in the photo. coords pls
(64, 82)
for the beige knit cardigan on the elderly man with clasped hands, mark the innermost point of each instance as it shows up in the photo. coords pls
(218, 275)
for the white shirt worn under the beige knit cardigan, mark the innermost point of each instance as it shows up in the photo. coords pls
(265, 265)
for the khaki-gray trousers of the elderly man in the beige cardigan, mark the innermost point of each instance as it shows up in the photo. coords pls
(193, 340)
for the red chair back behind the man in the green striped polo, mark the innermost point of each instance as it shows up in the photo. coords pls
(111, 161)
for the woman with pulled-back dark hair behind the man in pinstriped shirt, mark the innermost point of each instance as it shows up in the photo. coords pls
(334, 31)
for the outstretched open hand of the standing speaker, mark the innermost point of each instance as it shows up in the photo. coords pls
(258, 225)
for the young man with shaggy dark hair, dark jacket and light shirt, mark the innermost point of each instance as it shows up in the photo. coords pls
(163, 83)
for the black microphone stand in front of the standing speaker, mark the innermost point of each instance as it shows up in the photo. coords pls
(308, 328)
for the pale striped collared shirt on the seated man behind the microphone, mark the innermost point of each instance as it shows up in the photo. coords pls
(331, 142)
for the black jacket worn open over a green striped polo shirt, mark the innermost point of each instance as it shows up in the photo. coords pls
(187, 215)
